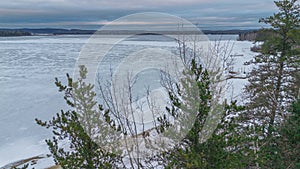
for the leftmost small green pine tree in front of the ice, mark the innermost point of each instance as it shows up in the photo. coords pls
(73, 145)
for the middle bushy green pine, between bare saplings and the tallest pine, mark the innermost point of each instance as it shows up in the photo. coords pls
(193, 94)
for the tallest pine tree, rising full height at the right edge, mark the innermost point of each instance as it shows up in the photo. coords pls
(273, 84)
